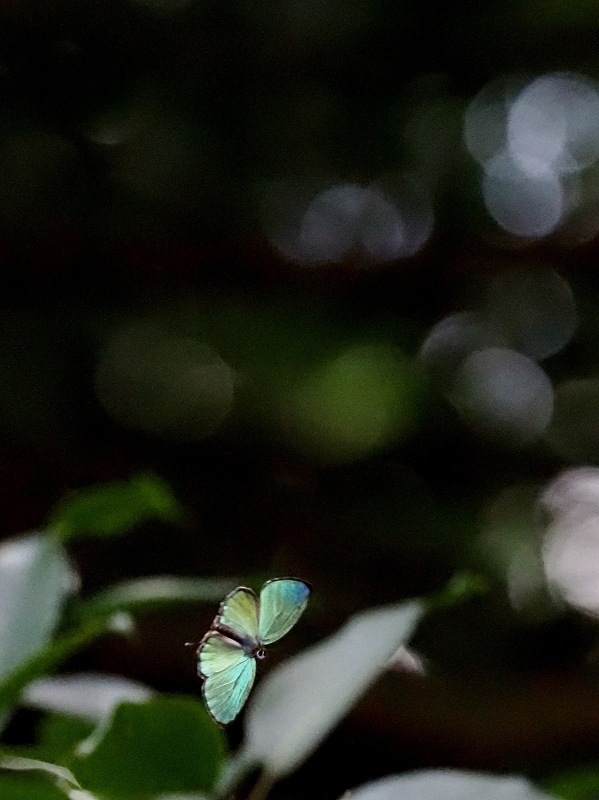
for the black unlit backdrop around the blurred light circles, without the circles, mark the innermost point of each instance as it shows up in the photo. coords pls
(134, 139)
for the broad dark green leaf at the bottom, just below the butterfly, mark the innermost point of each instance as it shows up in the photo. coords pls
(166, 745)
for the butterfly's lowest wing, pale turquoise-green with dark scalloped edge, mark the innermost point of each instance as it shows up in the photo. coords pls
(228, 673)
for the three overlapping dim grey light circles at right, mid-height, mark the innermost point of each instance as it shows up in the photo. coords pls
(485, 360)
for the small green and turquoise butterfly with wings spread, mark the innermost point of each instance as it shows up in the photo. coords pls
(244, 625)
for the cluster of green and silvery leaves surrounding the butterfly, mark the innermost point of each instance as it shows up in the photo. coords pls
(110, 738)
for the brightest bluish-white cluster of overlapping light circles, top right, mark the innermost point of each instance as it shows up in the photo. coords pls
(532, 140)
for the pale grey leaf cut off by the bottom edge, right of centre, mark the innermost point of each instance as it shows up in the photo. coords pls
(443, 784)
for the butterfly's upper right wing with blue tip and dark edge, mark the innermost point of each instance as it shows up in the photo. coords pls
(282, 602)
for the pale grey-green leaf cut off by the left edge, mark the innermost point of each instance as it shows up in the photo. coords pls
(35, 577)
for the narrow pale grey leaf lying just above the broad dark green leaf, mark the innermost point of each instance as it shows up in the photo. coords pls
(87, 696)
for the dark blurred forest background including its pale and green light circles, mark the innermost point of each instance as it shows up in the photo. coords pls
(329, 270)
